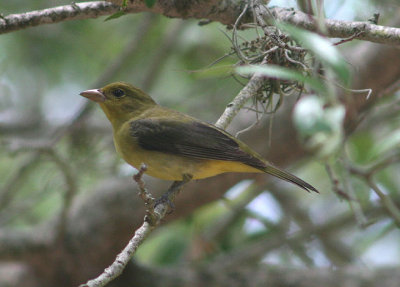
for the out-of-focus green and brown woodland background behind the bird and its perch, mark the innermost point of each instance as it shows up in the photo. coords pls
(68, 203)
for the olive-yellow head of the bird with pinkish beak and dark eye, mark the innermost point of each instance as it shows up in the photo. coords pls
(120, 101)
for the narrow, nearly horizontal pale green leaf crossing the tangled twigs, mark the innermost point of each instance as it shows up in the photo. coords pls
(283, 73)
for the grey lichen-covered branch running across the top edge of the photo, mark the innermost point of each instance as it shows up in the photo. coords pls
(225, 12)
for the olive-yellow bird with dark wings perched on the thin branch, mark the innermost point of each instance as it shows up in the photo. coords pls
(172, 144)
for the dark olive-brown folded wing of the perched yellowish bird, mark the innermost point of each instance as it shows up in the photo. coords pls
(190, 139)
